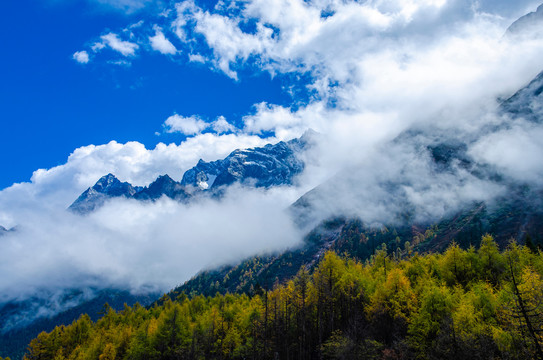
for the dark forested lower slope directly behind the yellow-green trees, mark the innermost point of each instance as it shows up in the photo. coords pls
(514, 217)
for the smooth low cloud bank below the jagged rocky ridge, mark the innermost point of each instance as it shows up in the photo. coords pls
(137, 245)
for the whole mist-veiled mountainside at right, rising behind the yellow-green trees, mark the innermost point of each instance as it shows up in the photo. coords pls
(468, 200)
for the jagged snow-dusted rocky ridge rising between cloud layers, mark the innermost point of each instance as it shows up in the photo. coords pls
(271, 165)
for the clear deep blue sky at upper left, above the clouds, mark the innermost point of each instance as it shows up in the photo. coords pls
(51, 104)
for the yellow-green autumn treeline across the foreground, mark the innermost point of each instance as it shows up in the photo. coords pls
(462, 304)
